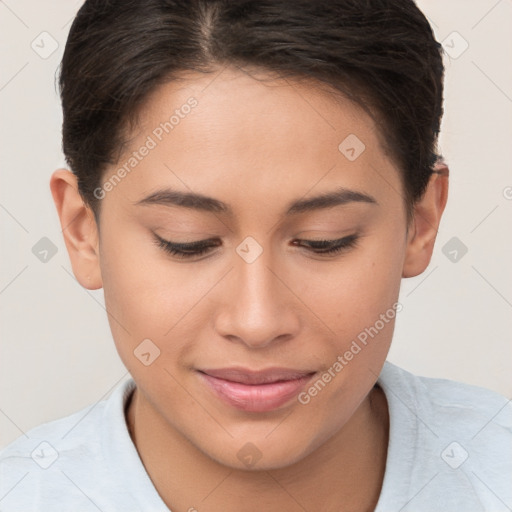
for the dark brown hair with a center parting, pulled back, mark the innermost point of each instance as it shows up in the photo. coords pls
(381, 54)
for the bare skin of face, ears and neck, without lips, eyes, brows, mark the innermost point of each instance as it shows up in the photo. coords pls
(256, 145)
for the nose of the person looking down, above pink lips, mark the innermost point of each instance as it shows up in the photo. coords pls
(258, 307)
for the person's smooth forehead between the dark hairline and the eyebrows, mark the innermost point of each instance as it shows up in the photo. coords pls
(230, 131)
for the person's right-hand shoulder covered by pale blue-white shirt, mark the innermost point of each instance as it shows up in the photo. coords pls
(452, 438)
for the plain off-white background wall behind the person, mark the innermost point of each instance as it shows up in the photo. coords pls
(56, 351)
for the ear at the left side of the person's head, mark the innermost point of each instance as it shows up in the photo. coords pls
(79, 229)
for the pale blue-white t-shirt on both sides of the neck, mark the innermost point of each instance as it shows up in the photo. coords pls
(450, 449)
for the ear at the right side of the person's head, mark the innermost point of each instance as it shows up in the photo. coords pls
(425, 222)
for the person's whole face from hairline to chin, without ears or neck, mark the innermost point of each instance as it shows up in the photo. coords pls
(270, 277)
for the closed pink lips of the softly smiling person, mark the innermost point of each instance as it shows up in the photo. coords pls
(255, 391)
